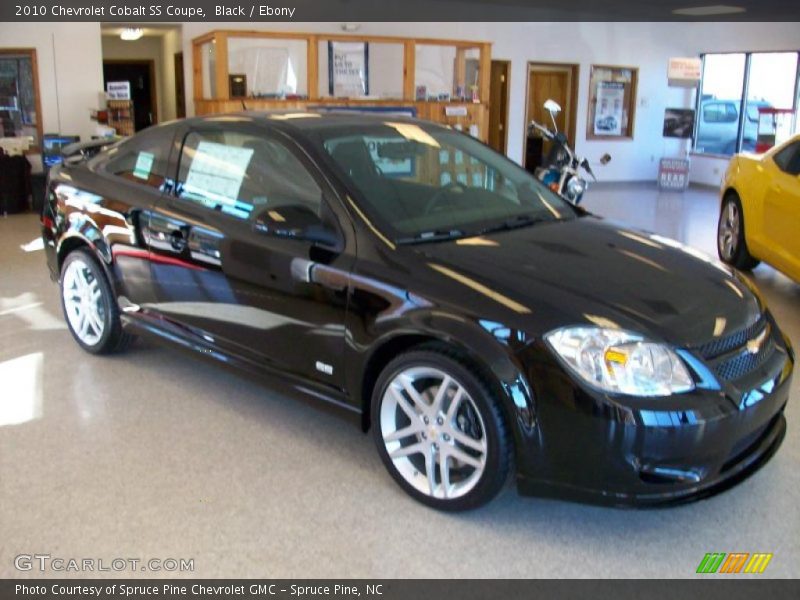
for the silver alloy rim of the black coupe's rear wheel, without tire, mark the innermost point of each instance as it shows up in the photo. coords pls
(83, 301)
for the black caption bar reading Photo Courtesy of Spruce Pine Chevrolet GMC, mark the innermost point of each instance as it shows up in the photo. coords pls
(706, 588)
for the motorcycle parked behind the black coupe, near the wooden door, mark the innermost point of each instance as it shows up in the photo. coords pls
(561, 169)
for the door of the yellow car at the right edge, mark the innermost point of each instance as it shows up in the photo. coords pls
(782, 209)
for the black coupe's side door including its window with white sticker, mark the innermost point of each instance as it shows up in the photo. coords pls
(253, 252)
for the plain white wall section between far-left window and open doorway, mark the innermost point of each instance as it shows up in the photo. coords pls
(70, 72)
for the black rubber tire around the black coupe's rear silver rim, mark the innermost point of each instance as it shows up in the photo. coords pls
(113, 338)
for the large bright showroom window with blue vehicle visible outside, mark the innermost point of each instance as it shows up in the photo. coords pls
(769, 80)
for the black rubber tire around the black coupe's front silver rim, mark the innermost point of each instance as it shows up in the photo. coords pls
(494, 429)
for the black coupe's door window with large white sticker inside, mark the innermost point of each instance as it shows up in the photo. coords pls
(243, 175)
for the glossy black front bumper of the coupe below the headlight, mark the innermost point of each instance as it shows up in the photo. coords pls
(589, 447)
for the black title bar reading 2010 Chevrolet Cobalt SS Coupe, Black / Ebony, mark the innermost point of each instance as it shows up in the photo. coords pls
(264, 11)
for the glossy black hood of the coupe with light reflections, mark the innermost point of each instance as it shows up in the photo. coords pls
(587, 270)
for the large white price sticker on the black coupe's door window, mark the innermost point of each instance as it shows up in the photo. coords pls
(216, 174)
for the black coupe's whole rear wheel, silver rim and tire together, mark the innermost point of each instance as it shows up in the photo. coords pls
(89, 306)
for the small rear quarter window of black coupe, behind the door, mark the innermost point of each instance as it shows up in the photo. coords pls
(142, 159)
